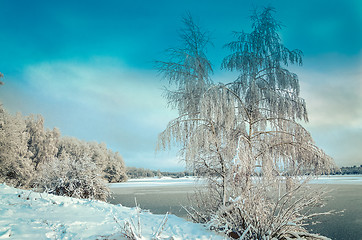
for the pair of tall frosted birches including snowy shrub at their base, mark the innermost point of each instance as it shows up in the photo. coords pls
(245, 137)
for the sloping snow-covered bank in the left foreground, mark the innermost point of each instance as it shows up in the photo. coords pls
(30, 215)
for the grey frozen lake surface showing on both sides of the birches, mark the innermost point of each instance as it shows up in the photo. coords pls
(167, 195)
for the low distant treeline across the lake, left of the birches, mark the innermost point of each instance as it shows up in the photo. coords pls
(133, 172)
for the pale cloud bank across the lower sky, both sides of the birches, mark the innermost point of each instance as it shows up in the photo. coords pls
(106, 101)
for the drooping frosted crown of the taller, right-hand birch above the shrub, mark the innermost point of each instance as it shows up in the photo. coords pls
(266, 96)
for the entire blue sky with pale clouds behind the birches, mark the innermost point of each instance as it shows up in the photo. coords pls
(88, 67)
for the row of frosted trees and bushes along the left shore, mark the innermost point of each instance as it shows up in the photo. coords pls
(28, 152)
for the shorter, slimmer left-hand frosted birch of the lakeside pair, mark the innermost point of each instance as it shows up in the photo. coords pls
(198, 131)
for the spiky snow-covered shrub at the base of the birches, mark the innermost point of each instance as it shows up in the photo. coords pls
(263, 211)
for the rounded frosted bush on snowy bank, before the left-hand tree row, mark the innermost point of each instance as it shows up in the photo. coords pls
(79, 178)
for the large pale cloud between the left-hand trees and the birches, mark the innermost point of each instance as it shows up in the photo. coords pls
(104, 101)
